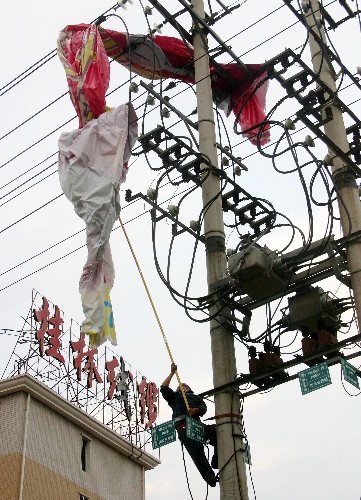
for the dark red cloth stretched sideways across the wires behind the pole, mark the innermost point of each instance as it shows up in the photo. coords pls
(237, 89)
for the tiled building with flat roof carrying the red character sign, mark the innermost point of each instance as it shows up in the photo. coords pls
(52, 450)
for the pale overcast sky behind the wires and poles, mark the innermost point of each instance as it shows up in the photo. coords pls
(302, 446)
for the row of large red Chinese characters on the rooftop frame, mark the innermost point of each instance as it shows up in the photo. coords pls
(137, 402)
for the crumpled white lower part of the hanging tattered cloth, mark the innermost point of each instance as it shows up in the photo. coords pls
(92, 165)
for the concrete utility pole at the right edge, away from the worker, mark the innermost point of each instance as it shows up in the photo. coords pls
(343, 176)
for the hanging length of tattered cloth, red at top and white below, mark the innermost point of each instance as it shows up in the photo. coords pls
(92, 164)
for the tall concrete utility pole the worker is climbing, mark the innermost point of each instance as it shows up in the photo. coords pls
(233, 480)
